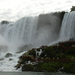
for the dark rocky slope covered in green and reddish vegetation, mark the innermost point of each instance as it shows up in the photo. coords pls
(59, 57)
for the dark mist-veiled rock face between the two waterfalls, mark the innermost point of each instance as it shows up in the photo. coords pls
(48, 27)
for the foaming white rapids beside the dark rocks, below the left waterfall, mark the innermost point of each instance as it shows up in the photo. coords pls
(8, 65)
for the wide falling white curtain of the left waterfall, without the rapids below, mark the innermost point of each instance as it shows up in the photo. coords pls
(22, 30)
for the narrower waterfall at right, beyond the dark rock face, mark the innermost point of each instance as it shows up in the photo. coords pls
(68, 26)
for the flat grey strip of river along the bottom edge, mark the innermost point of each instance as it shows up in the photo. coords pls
(32, 73)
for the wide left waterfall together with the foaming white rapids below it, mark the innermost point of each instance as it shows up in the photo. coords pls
(22, 32)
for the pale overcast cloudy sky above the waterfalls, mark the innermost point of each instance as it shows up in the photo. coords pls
(13, 10)
